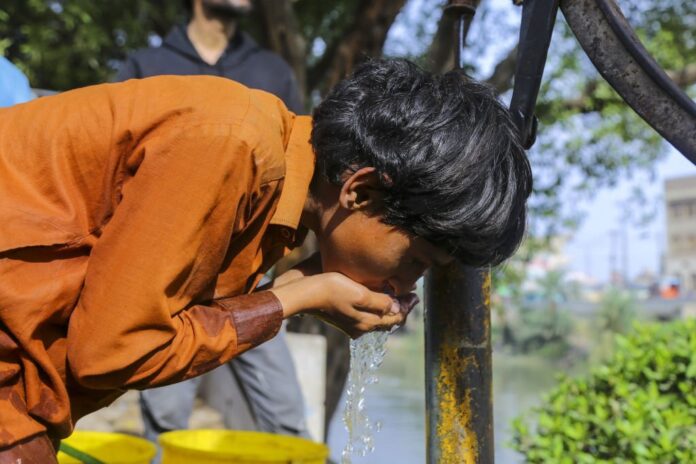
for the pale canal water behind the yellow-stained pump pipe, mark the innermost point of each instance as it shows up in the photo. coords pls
(397, 401)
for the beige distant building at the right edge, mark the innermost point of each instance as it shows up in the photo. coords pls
(680, 260)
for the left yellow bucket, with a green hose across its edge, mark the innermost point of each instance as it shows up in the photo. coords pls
(111, 448)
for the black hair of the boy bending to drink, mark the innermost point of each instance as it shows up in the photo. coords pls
(453, 171)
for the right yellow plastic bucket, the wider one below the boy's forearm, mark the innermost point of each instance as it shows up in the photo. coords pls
(238, 447)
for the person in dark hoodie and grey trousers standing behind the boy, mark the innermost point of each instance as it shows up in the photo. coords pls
(212, 44)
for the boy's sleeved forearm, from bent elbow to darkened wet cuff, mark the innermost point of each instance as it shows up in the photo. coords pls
(199, 339)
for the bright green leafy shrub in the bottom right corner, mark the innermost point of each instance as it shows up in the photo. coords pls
(639, 407)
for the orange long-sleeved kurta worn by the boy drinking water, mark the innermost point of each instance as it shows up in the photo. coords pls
(134, 220)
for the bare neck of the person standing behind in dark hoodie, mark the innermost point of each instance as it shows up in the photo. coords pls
(209, 35)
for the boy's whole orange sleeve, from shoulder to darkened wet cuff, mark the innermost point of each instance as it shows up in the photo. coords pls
(135, 325)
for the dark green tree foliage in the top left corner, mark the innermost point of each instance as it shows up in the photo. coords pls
(72, 43)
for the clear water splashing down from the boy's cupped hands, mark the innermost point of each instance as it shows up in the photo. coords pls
(366, 356)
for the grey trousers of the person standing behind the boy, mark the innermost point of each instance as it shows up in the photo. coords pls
(267, 384)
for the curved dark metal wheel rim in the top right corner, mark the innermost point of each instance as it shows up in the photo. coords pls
(618, 55)
